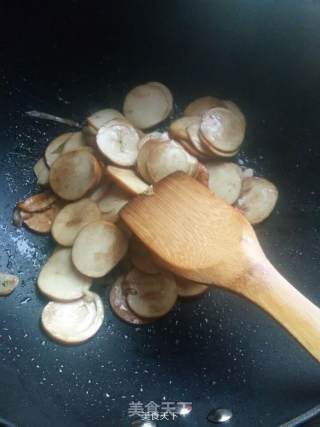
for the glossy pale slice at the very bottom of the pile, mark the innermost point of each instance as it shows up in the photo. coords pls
(73, 322)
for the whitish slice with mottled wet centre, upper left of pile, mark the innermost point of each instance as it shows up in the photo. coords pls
(118, 141)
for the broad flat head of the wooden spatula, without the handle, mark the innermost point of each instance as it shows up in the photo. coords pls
(191, 231)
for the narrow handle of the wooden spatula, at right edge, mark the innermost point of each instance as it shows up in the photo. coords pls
(273, 293)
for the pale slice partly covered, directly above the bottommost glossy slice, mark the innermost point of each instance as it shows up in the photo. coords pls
(59, 280)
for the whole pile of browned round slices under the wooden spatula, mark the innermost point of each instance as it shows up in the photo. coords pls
(89, 175)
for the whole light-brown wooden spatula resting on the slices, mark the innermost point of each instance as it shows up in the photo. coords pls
(198, 236)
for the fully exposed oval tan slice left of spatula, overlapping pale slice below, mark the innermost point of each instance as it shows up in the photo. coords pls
(98, 248)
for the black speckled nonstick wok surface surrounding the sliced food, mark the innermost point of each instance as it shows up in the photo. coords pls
(217, 351)
